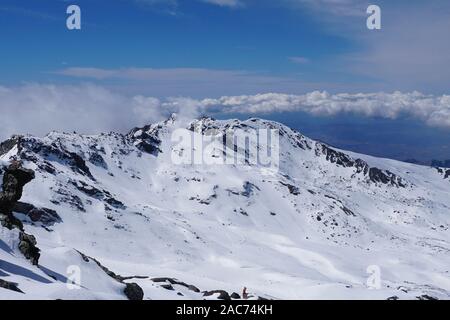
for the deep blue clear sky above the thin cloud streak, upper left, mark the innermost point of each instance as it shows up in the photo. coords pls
(264, 40)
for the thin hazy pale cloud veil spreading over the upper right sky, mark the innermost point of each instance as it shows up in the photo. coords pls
(410, 52)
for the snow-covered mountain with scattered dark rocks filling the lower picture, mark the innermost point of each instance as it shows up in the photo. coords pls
(116, 212)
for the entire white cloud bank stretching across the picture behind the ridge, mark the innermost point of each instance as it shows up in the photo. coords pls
(38, 109)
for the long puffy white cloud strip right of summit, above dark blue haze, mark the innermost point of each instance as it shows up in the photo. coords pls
(434, 110)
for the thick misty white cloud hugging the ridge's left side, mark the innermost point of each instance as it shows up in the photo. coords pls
(38, 109)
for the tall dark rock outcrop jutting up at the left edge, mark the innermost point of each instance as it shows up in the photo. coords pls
(15, 177)
